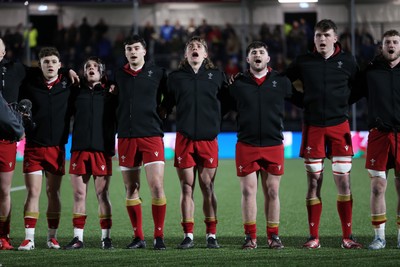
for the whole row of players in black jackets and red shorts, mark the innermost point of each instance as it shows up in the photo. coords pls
(141, 95)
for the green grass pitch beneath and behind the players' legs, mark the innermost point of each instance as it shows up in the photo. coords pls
(293, 226)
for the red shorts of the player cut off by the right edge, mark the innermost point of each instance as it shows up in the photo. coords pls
(381, 151)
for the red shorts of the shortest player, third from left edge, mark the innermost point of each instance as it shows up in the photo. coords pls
(91, 163)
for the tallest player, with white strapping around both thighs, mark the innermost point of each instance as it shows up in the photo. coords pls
(327, 75)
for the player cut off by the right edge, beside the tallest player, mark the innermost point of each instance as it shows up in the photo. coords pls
(380, 83)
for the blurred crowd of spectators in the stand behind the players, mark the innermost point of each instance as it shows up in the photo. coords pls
(166, 43)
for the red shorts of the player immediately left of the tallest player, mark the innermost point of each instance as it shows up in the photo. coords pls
(254, 158)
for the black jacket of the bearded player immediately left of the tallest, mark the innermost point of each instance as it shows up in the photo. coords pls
(261, 108)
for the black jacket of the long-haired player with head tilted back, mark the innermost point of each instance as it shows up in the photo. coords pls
(196, 96)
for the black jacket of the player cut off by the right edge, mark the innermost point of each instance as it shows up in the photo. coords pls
(381, 85)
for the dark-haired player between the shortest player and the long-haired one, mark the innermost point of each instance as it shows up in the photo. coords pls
(141, 86)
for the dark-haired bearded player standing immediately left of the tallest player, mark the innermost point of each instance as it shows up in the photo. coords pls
(259, 95)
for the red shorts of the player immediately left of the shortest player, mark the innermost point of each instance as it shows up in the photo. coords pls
(51, 159)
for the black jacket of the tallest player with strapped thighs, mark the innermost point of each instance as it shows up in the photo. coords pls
(327, 85)
